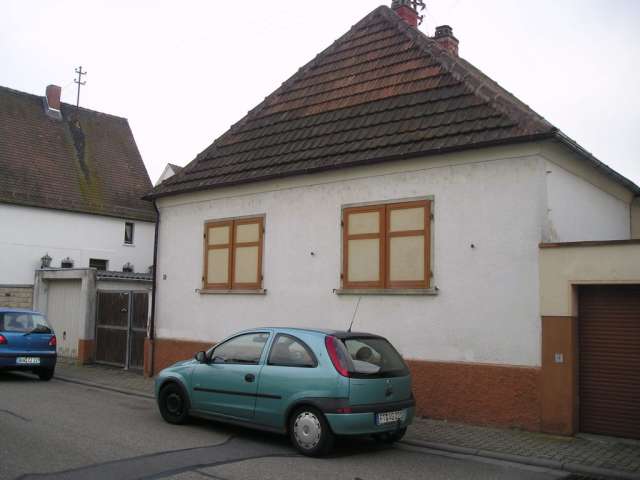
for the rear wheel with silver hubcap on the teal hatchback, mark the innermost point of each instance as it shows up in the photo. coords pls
(310, 432)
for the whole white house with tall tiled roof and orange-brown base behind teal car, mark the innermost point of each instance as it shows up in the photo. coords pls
(391, 171)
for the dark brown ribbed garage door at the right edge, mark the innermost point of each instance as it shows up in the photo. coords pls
(609, 335)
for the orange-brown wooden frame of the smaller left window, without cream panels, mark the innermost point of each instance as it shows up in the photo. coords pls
(232, 245)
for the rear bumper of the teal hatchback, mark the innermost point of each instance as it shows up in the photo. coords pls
(362, 420)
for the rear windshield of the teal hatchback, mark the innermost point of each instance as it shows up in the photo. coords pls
(375, 357)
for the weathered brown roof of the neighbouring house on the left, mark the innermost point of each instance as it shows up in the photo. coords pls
(45, 162)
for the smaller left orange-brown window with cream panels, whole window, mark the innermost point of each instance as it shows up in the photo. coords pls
(233, 254)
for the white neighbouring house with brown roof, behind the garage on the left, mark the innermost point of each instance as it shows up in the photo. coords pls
(71, 182)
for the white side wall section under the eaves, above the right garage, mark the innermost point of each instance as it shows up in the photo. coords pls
(583, 204)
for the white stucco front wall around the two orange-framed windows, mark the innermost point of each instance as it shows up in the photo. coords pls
(487, 308)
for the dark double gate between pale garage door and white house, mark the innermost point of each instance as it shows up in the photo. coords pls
(121, 327)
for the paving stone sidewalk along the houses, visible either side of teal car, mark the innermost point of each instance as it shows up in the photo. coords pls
(592, 455)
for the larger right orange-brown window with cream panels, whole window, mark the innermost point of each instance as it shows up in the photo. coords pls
(387, 246)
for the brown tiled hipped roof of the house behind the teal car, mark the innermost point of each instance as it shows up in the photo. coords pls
(383, 91)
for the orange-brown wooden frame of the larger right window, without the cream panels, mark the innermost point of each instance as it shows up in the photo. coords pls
(385, 284)
